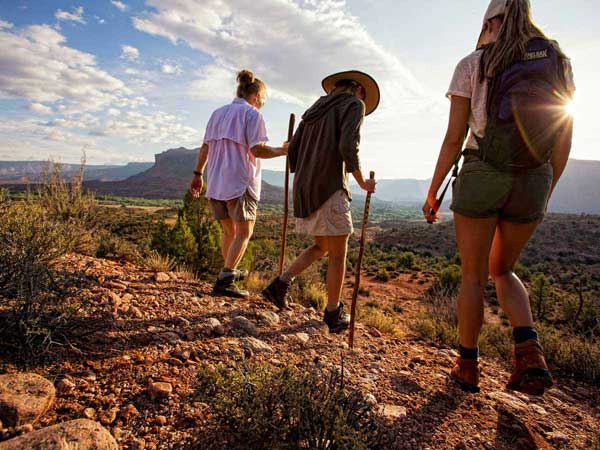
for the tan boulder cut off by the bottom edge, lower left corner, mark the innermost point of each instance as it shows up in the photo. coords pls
(80, 434)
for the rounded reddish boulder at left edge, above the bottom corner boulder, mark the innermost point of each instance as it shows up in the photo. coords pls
(24, 398)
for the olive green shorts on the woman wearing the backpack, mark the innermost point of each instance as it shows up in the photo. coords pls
(481, 191)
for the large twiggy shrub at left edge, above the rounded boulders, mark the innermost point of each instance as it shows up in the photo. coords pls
(31, 242)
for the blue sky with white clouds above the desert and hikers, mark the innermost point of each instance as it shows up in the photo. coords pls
(120, 81)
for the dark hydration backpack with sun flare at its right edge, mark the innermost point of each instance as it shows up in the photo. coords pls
(525, 110)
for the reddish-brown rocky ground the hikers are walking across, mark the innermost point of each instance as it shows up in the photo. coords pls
(133, 369)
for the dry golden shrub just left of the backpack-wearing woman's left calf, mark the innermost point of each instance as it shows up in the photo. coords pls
(439, 321)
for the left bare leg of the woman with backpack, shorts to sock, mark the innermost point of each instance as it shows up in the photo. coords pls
(474, 239)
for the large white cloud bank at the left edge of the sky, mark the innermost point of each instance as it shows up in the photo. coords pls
(36, 65)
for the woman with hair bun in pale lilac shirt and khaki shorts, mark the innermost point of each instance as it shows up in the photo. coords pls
(234, 143)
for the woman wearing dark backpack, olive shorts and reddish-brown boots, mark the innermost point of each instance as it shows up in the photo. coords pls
(512, 93)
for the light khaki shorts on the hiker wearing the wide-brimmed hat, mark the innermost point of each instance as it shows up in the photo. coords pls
(333, 218)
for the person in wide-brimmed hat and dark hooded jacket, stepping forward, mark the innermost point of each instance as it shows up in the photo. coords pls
(323, 151)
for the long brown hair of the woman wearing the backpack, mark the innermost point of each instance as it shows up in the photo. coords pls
(518, 28)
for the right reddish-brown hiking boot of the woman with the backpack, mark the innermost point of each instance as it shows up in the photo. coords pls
(530, 375)
